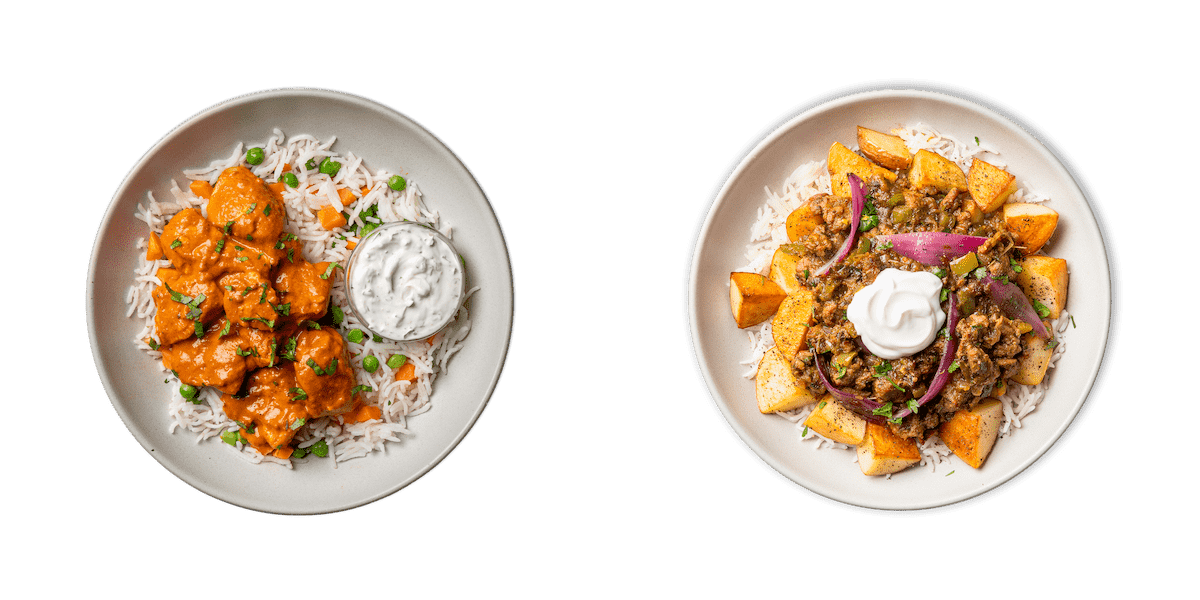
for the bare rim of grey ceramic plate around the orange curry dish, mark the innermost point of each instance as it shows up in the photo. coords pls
(385, 139)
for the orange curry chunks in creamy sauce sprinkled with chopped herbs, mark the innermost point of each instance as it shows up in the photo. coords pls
(239, 309)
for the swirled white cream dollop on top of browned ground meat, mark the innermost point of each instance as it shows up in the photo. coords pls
(899, 314)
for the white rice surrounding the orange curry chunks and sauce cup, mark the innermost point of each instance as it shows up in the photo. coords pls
(398, 401)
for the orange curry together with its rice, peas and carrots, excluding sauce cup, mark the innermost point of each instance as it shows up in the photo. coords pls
(244, 302)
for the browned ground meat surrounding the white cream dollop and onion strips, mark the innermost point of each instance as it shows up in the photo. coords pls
(988, 340)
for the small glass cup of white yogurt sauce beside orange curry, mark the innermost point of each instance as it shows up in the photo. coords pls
(405, 281)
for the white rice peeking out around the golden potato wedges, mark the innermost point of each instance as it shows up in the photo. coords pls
(769, 232)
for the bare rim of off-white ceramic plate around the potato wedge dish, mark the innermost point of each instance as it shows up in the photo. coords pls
(721, 346)
